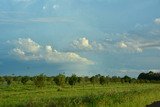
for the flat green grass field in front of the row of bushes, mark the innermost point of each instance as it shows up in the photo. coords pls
(109, 95)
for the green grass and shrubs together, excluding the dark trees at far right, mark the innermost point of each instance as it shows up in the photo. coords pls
(61, 91)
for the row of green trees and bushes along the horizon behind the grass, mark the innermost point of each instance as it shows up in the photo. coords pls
(62, 80)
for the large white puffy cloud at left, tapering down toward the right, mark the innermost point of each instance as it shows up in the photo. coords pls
(27, 49)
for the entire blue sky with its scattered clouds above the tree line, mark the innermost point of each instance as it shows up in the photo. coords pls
(82, 37)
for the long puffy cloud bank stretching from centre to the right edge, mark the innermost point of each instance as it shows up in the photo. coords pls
(123, 44)
